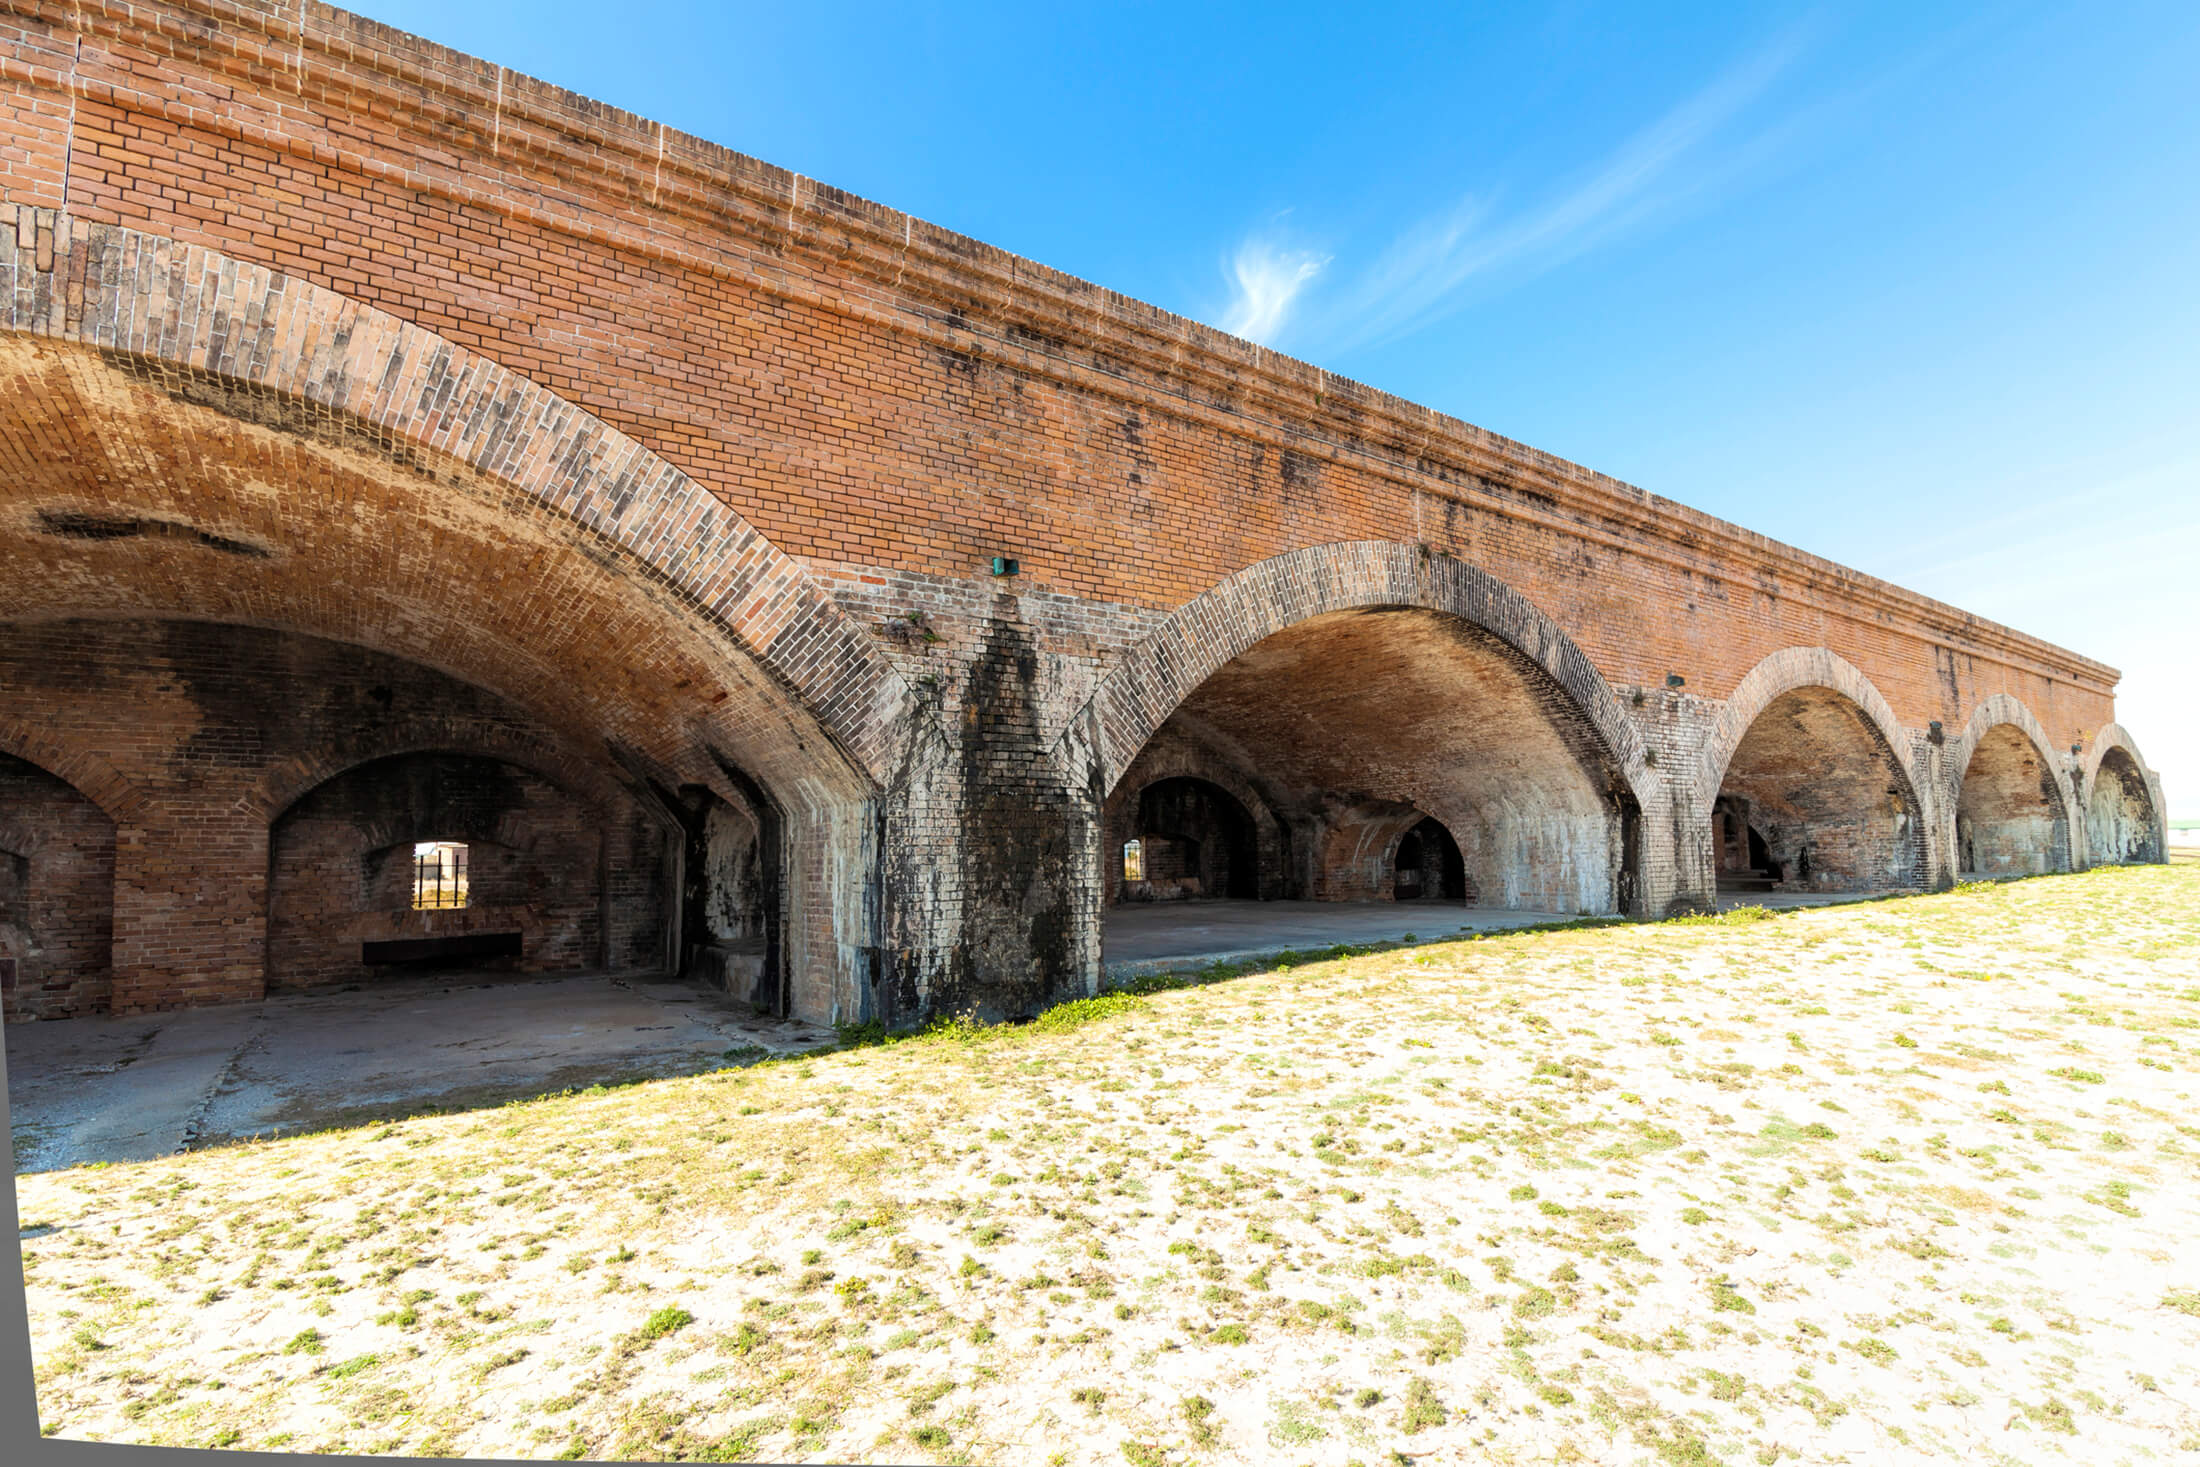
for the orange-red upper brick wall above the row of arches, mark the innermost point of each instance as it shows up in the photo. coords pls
(828, 366)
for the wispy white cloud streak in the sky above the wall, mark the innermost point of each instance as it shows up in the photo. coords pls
(1429, 267)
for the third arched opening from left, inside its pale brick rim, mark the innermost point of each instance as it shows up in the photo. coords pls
(1816, 802)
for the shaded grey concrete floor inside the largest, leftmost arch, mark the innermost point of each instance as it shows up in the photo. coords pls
(126, 1090)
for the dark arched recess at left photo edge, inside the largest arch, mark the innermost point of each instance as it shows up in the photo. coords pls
(56, 896)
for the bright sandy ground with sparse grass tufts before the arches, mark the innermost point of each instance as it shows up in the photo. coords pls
(1889, 1182)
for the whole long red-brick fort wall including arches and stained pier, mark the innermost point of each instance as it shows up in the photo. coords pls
(703, 465)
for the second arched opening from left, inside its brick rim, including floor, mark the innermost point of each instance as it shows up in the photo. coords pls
(1402, 753)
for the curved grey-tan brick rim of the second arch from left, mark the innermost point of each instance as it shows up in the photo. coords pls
(1264, 599)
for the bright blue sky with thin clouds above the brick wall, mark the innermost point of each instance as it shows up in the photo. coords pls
(1911, 287)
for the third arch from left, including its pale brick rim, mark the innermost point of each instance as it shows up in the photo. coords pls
(1836, 830)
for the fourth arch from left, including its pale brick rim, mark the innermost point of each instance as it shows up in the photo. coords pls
(2021, 843)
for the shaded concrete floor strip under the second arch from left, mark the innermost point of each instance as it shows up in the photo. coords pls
(1167, 936)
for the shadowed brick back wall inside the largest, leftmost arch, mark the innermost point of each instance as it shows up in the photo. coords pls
(219, 729)
